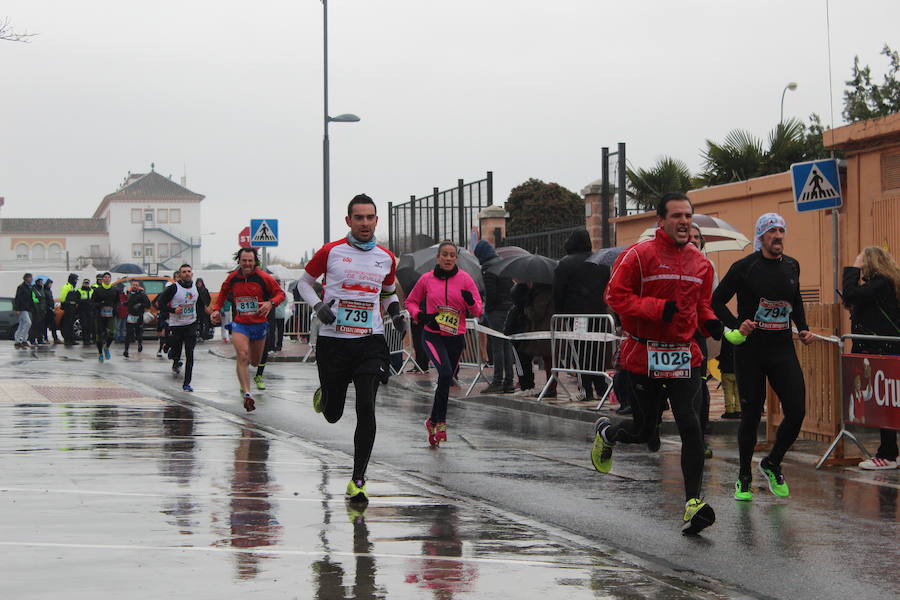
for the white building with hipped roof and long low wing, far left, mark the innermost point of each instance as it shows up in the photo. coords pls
(150, 221)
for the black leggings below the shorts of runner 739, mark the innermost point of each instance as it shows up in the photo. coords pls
(334, 395)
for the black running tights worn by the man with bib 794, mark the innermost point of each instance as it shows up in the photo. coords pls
(778, 363)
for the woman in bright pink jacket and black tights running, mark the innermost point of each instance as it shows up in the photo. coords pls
(450, 296)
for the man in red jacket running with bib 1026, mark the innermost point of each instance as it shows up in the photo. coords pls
(661, 290)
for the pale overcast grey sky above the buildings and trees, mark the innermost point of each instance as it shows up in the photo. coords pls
(232, 92)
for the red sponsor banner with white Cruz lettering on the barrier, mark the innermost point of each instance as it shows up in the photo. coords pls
(871, 394)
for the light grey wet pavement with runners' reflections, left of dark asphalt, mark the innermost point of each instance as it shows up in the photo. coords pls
(102, 493)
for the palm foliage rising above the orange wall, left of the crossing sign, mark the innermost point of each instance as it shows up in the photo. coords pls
(741, 155)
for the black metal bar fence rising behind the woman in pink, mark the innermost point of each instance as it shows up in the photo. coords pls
(444, 214)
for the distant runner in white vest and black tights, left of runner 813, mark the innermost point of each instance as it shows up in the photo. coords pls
(182, 300)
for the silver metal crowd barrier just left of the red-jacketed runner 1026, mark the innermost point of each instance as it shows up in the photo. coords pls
(582, 344)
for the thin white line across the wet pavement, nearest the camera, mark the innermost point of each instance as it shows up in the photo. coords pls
(318, 553)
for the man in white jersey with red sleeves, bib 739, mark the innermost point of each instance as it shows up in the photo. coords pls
(359, 282)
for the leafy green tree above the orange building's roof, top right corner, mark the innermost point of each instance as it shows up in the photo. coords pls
(866, 100)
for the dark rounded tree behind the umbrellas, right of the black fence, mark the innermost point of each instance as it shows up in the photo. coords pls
(538, 206)
